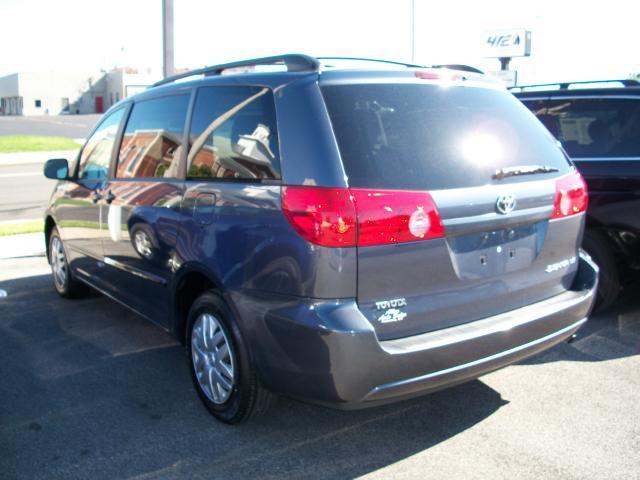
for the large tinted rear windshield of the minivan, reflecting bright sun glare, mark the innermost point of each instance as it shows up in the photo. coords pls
(409, 136)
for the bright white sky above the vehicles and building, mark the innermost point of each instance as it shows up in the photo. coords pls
(571, 40)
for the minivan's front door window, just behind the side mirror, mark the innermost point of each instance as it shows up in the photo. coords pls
(96, 155)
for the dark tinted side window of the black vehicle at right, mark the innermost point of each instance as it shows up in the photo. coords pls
(592, 127)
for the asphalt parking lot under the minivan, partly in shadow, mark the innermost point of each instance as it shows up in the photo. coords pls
(90, 390)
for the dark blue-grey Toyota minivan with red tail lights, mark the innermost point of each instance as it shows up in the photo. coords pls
(347, 236)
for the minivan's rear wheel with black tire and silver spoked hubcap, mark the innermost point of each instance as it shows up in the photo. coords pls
(220, 364)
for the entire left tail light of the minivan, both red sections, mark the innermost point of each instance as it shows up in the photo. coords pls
(342, 217)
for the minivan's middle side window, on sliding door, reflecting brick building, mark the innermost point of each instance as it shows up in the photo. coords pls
(152, 141)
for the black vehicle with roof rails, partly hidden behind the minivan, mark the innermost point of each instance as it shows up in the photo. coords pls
(598, 124)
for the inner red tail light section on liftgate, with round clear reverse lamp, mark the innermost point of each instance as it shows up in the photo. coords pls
(386, 216)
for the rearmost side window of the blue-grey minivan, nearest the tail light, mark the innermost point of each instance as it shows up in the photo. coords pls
(233, 135)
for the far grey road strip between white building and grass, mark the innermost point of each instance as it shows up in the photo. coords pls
(71, 126)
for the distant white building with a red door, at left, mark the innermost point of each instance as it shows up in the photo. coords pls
(53, 93)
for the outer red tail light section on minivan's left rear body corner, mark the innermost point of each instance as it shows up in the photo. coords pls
(324, 216)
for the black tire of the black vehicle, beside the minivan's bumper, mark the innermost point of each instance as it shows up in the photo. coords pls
(597, 246)
